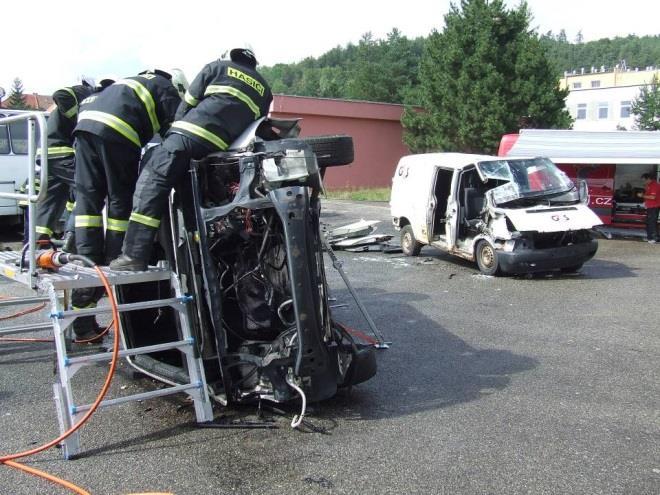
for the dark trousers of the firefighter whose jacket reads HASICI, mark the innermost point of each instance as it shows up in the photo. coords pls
(164, 167)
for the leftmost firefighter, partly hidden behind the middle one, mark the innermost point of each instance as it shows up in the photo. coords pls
(60, 194)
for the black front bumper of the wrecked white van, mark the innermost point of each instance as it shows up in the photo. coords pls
(539, 260)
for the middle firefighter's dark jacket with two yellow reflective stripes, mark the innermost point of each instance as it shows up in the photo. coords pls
(131, 111)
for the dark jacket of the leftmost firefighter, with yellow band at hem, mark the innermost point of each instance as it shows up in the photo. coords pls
(62, 120)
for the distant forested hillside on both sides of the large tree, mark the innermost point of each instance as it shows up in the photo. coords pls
(386, 70)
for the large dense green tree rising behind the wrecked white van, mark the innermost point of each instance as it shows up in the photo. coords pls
(480, 78)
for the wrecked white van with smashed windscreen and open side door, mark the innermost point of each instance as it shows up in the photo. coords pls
(508, 215)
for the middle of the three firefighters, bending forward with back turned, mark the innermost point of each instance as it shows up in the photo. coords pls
(112, 129)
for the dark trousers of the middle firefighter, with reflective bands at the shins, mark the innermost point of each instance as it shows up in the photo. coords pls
(106, 173)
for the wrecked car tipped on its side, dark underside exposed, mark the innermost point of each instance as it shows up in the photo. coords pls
(245, 239)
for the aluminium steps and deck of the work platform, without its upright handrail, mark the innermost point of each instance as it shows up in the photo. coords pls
(61, 318)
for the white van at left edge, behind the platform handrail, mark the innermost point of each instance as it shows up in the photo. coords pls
(13, 163)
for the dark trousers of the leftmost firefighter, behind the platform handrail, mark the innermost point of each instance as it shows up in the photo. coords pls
(59, 195)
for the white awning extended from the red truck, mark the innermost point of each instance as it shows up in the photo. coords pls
(565, 146)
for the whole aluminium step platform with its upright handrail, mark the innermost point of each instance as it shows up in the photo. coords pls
(21, 267)
